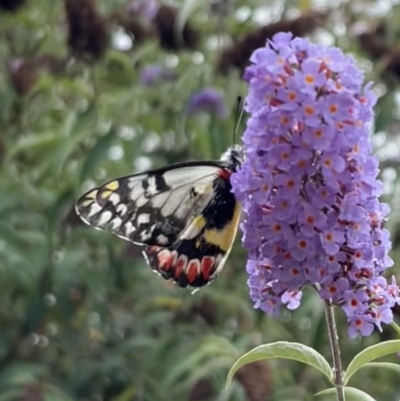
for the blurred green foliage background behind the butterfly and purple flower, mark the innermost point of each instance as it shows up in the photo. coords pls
(81, 315)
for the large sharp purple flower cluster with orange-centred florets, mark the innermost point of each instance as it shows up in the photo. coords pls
(309, 185)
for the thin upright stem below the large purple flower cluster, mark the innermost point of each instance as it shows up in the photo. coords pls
(335, 350)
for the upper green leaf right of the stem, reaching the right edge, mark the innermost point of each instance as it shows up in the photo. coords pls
(369, 354)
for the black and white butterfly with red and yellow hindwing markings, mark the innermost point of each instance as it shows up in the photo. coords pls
(185, 216)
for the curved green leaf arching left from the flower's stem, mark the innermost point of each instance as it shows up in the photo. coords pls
(286, 350)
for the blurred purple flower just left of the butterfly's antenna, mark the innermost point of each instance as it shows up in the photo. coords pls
(210, 100)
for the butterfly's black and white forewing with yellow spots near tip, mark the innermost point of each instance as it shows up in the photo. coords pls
(150, 208)
